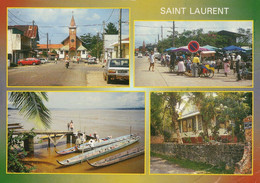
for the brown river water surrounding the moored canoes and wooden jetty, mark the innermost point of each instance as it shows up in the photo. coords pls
(105, 123)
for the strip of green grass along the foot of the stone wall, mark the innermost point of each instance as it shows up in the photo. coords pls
(206, 168)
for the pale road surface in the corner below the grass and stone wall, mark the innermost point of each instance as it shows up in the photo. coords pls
(161, 166)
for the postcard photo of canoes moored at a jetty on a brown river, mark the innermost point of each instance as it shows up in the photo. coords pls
(89, 132)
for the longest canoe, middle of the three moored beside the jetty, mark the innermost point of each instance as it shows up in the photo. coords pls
(99, 151)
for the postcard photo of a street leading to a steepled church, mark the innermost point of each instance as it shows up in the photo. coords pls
(68, 47)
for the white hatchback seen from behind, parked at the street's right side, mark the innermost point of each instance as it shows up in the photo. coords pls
(116, 69)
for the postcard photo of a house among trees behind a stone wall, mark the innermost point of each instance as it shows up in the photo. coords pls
(201, 133)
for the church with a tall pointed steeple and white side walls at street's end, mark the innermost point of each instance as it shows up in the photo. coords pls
(72, 45)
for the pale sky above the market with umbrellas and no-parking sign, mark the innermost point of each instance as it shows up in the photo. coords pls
(148, 30)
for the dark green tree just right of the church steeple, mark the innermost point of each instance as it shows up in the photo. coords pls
(93, 43)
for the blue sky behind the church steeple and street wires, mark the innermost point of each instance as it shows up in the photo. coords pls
(55, 22)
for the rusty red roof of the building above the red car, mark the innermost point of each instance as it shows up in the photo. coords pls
(28, 30)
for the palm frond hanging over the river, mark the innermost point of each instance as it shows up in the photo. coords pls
(31, 105)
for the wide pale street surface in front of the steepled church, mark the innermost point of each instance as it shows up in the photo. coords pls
(51, 74)
